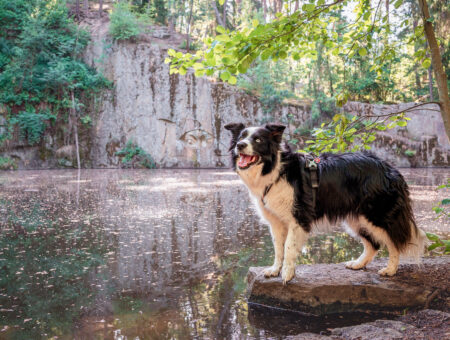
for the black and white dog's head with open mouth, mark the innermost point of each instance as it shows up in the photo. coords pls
(255, 145)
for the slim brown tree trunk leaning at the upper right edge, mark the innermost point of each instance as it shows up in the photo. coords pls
(436, 63)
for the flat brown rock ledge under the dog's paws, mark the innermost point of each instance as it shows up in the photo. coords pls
(331, 288)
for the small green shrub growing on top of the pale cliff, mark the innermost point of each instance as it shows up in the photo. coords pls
(124, 24)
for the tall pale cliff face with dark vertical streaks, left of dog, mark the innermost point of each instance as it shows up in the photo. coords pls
(177, 119)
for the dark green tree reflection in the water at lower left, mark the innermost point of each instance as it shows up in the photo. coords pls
(47, 270)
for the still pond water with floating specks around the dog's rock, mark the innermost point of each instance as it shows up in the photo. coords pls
(138, 254)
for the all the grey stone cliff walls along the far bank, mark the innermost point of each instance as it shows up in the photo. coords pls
(179, 120)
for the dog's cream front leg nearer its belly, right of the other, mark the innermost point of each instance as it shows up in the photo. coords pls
(295, 240)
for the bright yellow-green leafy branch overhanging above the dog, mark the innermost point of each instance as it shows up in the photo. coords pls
(296, 35)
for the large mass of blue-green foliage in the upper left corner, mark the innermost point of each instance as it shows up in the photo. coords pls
(41, 65)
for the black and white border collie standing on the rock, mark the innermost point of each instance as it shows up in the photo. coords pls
(359, 190)
